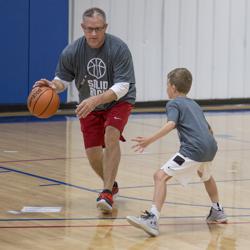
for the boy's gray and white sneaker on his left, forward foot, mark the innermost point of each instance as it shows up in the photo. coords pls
(147, 221)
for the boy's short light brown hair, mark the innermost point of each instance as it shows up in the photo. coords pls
(181, 78)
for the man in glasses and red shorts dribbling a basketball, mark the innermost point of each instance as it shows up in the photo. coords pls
(102, 67)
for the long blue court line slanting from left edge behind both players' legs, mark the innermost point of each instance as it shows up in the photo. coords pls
(96, 191)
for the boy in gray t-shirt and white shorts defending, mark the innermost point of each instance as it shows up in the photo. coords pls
(197, 150)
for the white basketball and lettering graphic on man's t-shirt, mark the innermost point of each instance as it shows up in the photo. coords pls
(97, 68)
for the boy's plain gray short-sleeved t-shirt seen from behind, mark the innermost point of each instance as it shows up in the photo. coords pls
(197, 142)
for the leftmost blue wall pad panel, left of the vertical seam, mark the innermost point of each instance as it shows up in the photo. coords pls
(14, 46)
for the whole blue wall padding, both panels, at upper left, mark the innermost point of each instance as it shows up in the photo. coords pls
(33, 33)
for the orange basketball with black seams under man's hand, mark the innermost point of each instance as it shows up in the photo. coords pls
(43, 102)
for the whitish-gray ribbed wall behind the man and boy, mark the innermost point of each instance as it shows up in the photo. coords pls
(210, 37)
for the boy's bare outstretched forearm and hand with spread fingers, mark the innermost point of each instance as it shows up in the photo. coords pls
(143, 142)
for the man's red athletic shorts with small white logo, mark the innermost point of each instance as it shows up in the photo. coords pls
(93, 126)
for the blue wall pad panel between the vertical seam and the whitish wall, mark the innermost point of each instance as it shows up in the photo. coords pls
(48, 36)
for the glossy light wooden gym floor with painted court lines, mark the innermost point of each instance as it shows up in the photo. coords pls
(43, 166)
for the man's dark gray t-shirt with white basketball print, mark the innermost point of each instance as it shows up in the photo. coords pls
(96, 70)
